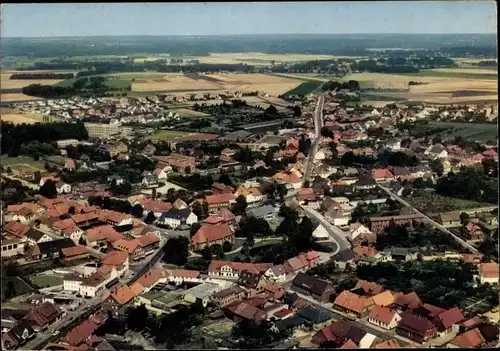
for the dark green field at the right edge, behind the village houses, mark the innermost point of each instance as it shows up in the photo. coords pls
(471, 131)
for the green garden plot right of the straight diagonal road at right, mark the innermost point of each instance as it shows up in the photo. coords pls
(430, 202)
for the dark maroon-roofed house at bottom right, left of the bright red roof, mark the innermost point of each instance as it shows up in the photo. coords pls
(416, 328)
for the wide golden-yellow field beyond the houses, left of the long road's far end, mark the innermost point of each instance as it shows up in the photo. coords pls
(218, 83)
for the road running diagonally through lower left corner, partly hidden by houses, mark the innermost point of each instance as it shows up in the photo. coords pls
(72, 318)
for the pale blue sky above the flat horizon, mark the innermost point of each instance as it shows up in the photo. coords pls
(428, 17)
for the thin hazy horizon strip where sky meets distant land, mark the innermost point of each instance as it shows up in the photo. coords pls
(229, 35)
